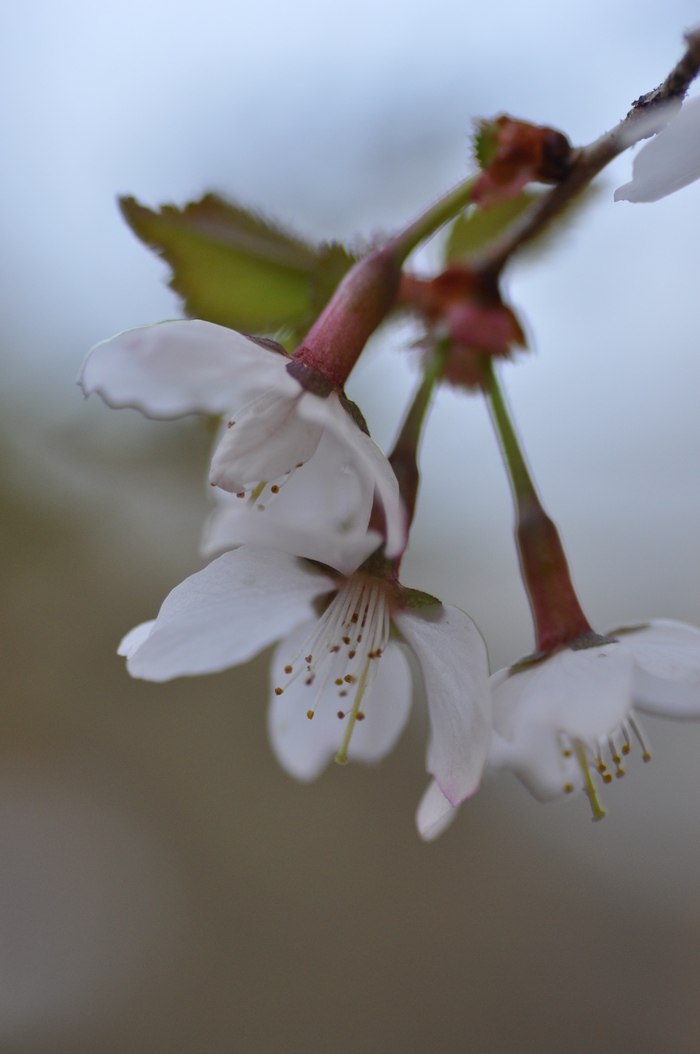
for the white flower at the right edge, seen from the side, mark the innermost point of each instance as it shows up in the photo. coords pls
(559, 720)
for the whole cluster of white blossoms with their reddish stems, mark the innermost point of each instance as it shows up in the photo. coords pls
(310, 521)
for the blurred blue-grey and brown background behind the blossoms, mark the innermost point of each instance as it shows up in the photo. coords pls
(164, 886)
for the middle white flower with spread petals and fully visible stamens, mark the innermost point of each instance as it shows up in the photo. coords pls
(340, 669)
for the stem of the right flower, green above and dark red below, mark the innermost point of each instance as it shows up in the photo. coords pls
(557, 614)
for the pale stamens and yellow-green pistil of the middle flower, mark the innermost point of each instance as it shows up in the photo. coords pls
(341, 651)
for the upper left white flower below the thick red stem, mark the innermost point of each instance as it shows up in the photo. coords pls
(276, 427)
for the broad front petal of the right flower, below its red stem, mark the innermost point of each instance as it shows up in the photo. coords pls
(586, 694)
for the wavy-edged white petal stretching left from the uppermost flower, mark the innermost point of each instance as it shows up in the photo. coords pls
(178, 368)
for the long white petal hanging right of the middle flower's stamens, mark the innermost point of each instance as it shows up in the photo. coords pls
(453, 659)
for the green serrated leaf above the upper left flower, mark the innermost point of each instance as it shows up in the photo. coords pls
(236, 268)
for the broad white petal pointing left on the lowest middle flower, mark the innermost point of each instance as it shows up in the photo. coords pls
(227, 614)
